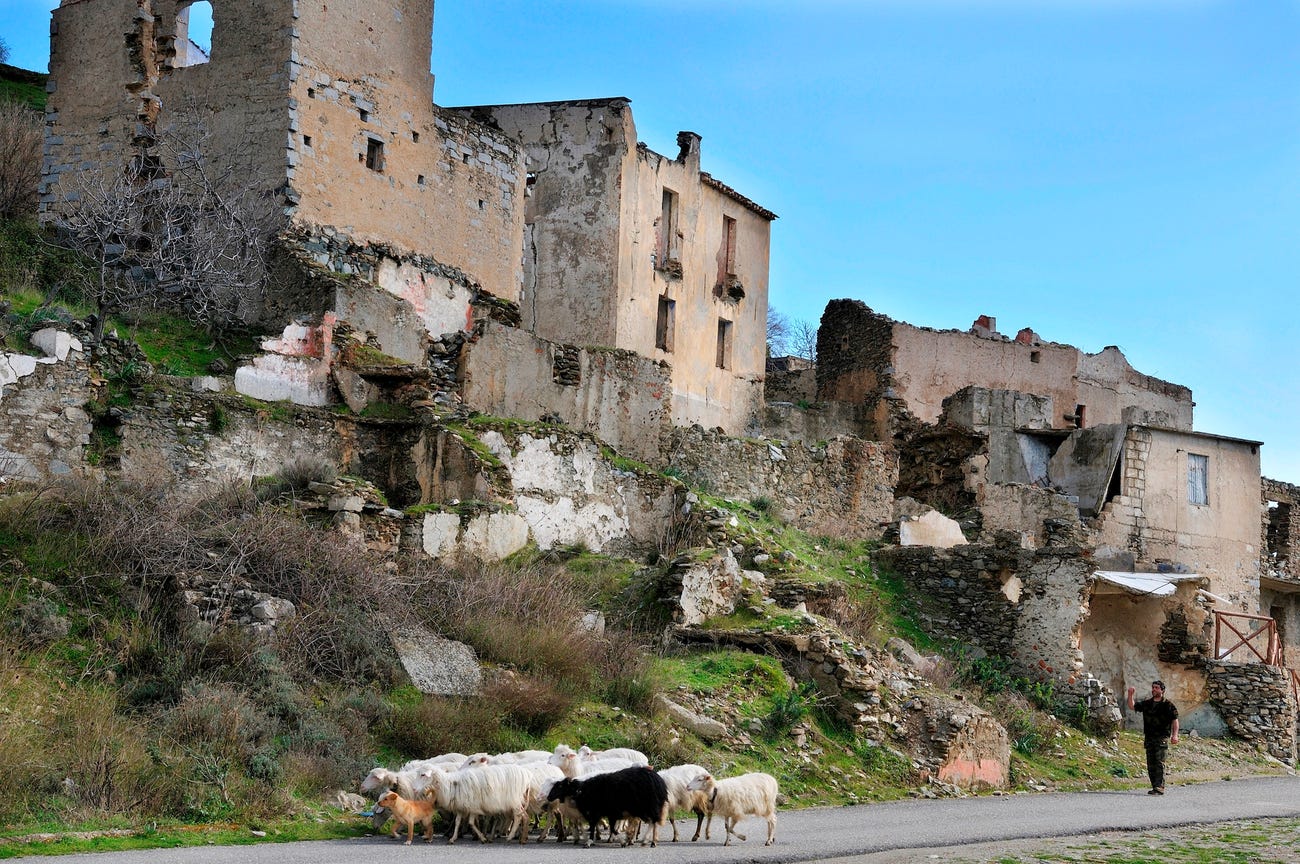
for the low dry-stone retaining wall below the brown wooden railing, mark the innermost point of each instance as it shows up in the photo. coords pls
(1256, 702)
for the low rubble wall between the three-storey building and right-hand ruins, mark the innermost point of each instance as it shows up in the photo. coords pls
(843, 488)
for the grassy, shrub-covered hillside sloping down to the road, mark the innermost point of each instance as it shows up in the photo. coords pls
(120, 717)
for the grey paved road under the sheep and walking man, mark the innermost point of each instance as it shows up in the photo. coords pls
(816, 835)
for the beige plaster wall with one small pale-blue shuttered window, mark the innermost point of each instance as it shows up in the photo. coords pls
(1154, 519)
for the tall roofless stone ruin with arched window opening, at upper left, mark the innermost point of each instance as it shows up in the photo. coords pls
(328, 108)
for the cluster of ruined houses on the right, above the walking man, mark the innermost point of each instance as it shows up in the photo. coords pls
(1110, 544)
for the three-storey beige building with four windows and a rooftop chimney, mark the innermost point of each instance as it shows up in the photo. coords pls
(687, 255)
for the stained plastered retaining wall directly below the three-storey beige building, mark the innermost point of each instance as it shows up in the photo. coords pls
(618, 396)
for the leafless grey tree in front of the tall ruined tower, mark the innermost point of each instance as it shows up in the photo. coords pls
(194, 237)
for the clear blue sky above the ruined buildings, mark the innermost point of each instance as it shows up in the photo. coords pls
(1104, 172)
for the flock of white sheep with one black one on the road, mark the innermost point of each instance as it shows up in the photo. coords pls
(562, 791)
